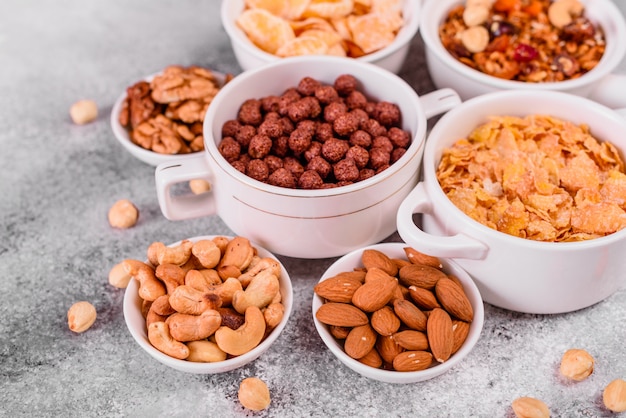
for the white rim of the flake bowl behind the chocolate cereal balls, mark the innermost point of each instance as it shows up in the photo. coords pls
(404, 35)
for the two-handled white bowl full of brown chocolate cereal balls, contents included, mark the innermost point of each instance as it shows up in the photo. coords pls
(308, 156)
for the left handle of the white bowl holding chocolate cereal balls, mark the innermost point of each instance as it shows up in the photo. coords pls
(189, 205)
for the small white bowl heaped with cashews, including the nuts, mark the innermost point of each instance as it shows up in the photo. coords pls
(208, 304)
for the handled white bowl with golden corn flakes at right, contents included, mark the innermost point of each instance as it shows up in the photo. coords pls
(526, 191)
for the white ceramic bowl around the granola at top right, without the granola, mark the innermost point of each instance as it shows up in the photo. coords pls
(601, 83)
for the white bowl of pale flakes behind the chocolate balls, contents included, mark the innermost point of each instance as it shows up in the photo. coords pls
(375, 31)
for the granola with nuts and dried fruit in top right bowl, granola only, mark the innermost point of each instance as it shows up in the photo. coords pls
(524, 40)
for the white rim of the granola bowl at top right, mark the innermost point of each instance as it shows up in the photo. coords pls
(433, 44)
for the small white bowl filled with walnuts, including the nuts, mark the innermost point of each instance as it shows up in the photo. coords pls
(159, 117)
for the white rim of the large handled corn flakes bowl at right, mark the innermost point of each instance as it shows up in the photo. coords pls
(442, 199)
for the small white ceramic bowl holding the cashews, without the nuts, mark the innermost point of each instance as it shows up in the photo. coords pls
(136, 324)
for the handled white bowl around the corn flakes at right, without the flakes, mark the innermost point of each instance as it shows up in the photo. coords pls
(515, 273)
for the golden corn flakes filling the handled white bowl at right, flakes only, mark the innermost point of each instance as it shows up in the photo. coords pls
(537, 177)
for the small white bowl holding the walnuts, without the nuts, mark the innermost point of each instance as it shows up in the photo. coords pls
(121, 133)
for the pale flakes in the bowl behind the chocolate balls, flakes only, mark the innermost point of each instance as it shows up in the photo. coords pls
(350, 28)
